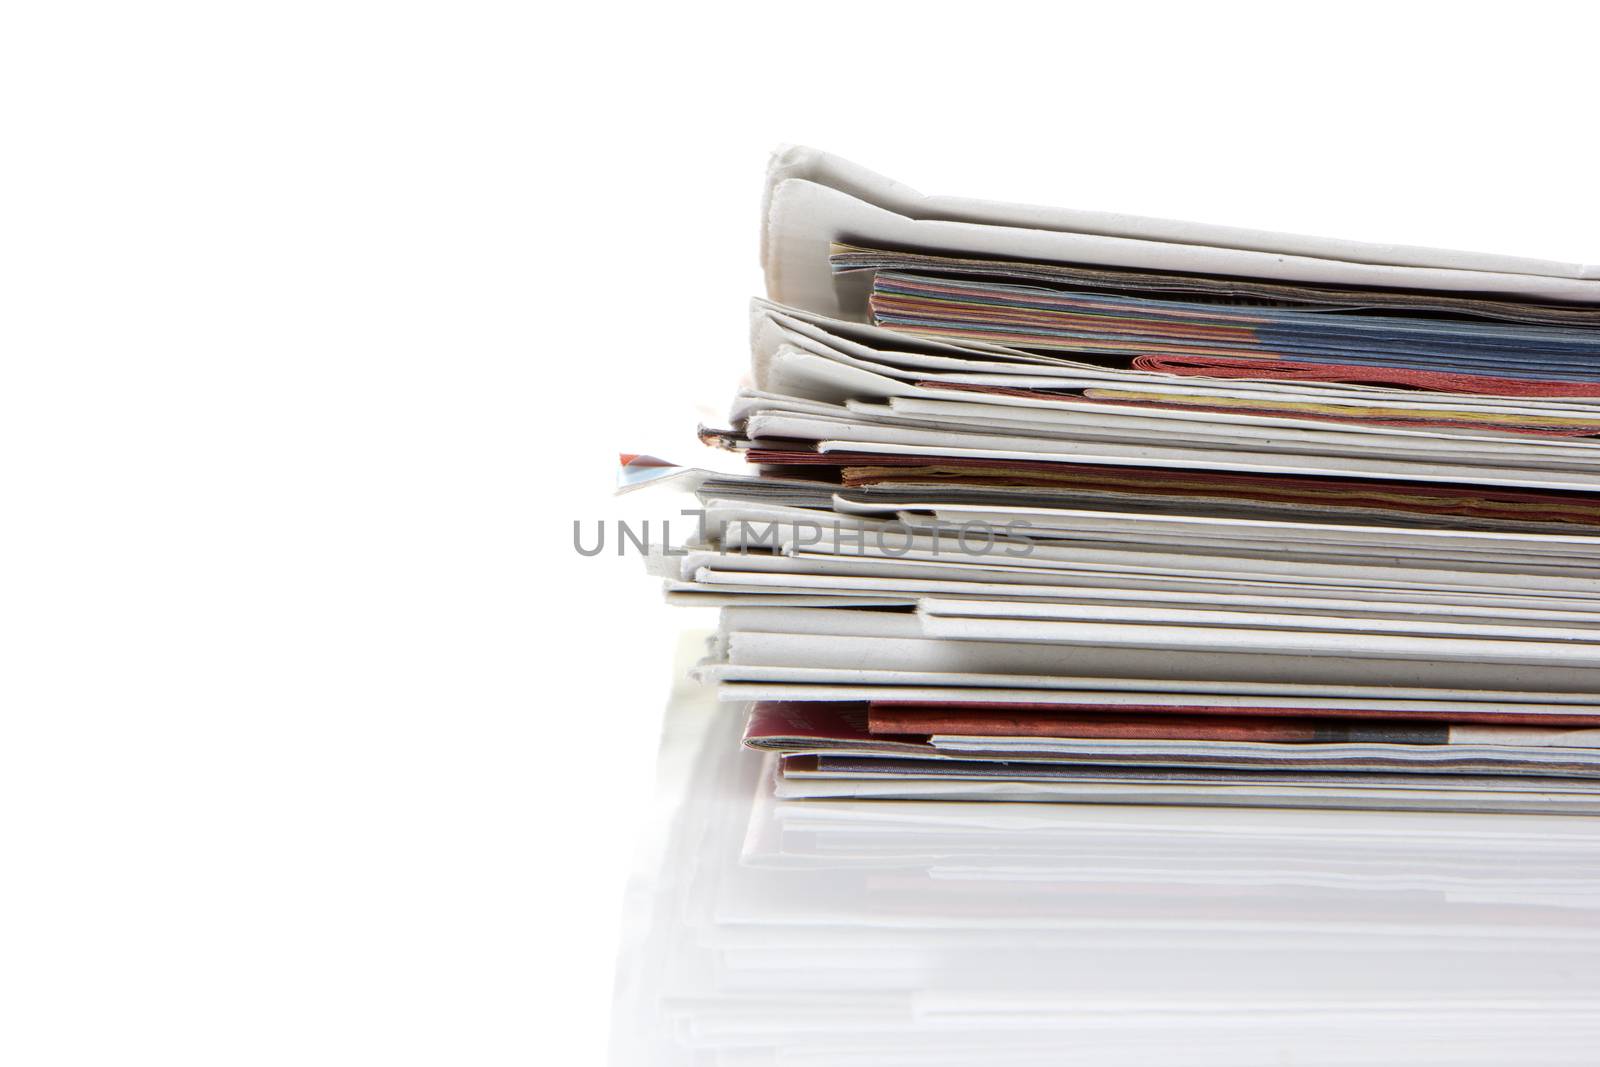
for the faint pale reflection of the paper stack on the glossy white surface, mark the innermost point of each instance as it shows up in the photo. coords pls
(820, 932)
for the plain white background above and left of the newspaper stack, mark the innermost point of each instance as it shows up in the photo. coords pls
(322, 322)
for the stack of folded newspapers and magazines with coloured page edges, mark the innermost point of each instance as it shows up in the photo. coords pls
(1066, 506)
